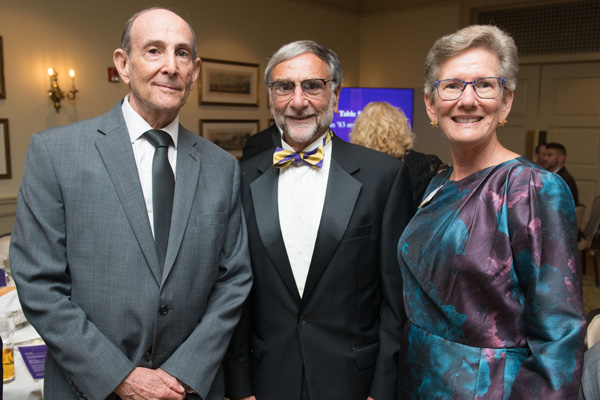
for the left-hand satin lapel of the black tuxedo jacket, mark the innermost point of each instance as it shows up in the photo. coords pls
(265, 202)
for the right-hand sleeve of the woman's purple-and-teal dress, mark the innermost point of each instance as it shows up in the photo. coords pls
(543, 232)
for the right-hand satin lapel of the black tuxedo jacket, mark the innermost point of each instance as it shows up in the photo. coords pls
(340, 199)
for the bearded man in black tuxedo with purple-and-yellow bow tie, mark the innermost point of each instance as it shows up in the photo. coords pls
(325, 315)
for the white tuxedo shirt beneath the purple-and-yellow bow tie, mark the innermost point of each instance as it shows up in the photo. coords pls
(301, 196)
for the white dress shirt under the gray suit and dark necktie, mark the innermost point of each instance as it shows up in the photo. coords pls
(143, 150)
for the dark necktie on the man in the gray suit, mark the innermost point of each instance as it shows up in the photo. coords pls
(163, 186)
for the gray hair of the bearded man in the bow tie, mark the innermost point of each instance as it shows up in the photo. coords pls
(294, 49)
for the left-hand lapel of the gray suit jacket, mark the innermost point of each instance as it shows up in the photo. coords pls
(117, 154)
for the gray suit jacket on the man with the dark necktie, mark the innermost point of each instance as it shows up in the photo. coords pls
(86, 267)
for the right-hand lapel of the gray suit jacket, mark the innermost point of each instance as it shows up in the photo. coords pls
(187, 172)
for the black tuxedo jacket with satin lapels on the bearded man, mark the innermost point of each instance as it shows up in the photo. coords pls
(344, 333)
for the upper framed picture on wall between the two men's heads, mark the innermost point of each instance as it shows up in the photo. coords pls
(229, 83)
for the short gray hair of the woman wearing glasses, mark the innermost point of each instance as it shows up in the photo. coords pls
(486, 37)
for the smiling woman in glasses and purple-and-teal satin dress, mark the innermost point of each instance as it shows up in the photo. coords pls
(490, 265)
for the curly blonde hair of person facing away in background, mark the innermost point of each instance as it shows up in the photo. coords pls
(384, 128)
